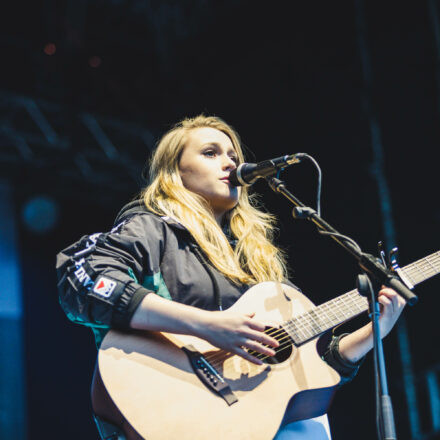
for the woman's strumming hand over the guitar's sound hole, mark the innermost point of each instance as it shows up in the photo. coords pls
(237, 333)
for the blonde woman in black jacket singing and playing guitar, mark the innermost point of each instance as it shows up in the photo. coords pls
(181, 255)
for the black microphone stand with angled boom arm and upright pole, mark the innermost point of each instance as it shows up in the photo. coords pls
(374, 269)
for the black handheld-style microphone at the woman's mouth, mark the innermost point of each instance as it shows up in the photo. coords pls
(247, 173)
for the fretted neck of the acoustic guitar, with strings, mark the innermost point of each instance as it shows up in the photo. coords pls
(328, 315)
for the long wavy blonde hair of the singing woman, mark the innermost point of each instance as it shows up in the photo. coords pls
(255, 258)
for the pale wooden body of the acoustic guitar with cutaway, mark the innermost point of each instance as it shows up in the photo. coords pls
(151, 381)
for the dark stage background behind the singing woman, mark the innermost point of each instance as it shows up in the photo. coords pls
(88, 86)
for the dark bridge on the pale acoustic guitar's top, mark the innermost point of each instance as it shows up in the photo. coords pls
(209, 376)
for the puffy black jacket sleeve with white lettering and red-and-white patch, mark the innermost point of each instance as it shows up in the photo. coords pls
(100, 276)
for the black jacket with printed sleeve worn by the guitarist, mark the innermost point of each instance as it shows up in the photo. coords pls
(104, 276)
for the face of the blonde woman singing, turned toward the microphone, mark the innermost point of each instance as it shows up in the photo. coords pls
(205, 163)
